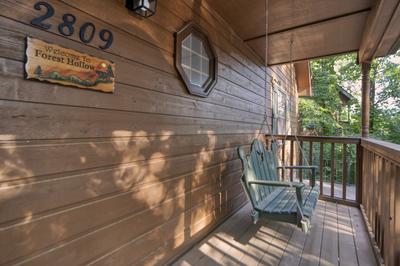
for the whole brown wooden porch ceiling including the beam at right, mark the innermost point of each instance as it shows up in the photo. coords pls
(316, 28)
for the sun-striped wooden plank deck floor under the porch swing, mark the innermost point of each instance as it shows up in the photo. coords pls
(338, 237)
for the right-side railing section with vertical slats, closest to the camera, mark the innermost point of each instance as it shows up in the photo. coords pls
(381, 196)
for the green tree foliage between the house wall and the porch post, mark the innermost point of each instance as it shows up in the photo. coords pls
(321, 111)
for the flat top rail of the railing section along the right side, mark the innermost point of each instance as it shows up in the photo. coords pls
(385, 149)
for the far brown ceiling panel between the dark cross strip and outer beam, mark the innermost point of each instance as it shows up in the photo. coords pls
(335, 36)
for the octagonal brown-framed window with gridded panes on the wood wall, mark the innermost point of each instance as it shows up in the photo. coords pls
(195, 60)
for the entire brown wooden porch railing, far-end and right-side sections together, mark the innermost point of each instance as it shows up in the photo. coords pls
(357, 171)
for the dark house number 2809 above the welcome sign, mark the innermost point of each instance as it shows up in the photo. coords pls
(86, 32)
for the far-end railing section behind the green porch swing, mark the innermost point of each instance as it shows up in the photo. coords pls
(337, 159)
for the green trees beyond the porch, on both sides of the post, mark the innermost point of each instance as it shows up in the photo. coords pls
(319, 113)
